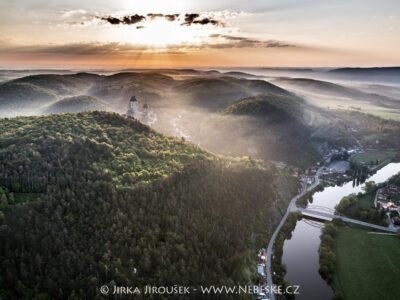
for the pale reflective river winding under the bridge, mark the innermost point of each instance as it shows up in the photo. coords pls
(300, 253)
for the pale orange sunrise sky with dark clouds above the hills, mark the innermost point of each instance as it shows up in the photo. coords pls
(203, 33)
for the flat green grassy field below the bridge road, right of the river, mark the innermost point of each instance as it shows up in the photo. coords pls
(368, 265)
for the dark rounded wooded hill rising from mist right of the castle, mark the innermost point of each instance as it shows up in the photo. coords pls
(278, 126)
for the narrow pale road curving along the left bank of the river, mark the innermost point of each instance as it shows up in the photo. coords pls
(291, 207)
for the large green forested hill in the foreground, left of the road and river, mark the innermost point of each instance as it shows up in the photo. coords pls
(86, 198)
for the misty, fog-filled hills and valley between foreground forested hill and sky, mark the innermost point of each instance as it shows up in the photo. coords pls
(269, 114)
